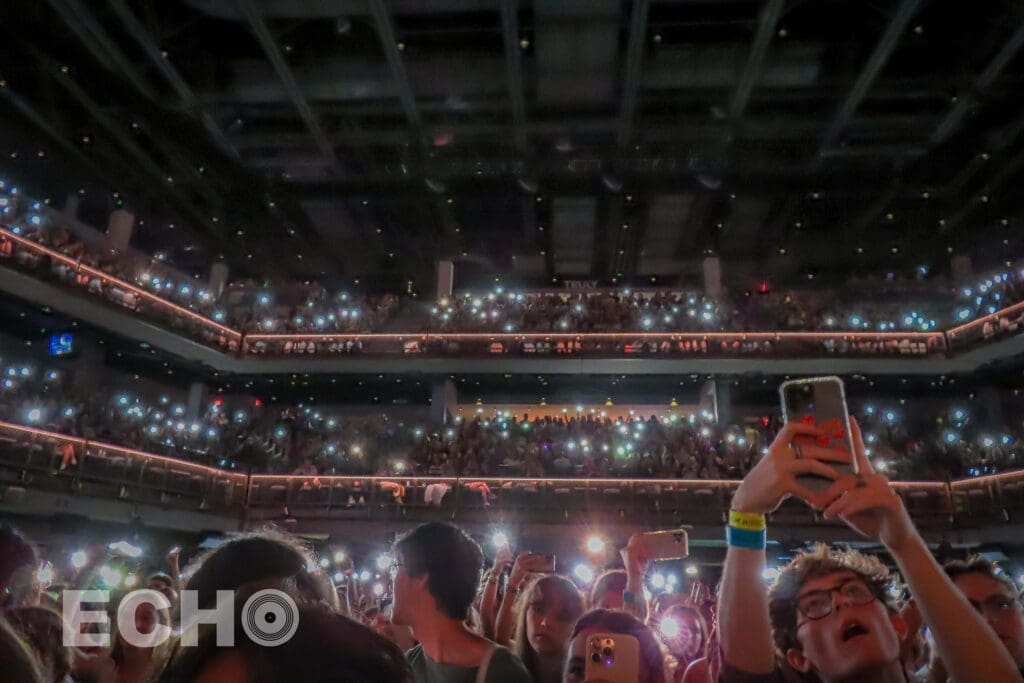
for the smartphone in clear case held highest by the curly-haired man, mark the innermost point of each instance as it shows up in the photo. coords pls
(821, 402)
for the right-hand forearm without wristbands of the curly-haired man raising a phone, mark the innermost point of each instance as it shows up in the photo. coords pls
(968, 648)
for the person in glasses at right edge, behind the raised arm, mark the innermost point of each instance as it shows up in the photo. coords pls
(995, 594)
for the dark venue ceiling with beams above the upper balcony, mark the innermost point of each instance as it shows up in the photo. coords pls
(538, 140)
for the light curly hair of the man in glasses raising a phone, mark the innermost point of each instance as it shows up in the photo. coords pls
(821, 562)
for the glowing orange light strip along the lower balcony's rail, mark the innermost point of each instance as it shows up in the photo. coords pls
(332, 479)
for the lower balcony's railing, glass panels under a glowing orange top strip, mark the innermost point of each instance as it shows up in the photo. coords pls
(33, 458)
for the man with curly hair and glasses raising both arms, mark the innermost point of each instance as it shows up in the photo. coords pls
(831, 614)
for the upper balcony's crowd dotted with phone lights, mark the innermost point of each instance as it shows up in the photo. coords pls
(251, 308)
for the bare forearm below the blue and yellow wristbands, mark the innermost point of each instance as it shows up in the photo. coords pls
(744, 621)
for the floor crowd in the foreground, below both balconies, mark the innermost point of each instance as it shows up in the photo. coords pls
(435, 612)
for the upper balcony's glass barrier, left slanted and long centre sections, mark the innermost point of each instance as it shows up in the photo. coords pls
(50, 265)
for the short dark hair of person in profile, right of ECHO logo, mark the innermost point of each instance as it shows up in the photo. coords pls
(451, 560)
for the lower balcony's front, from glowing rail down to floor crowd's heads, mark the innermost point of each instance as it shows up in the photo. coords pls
(189, 495)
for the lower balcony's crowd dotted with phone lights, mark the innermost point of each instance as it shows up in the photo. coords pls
(241, 433)
